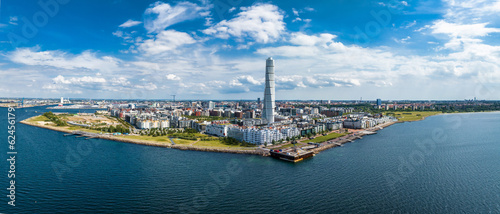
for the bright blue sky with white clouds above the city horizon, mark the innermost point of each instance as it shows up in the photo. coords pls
(205, 49)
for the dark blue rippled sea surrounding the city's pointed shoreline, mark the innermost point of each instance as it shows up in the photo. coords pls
(443, 164)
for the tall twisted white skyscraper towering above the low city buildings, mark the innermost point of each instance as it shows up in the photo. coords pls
(268, 112)
